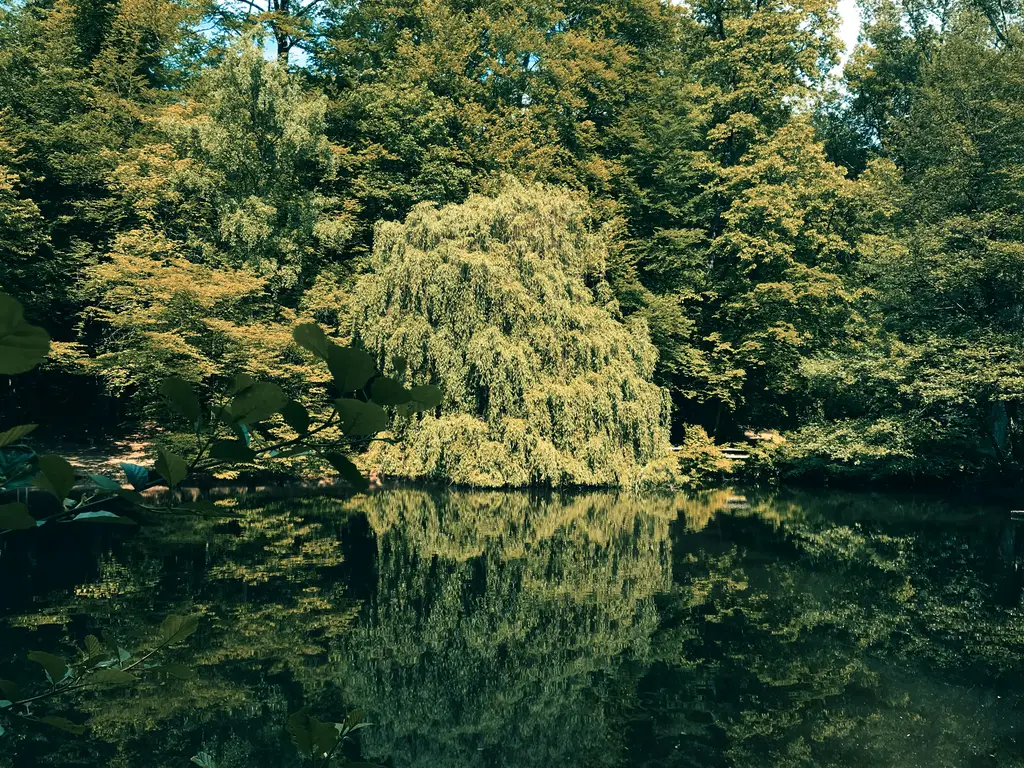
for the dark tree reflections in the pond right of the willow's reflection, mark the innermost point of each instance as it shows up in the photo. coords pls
(837, 631)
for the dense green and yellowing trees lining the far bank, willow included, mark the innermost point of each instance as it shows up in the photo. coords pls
(839, 258)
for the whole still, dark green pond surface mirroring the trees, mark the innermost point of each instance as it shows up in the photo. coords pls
(480, 630)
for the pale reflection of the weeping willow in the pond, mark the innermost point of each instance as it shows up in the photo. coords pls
(499, 626)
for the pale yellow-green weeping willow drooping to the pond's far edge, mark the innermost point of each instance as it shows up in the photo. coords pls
(503, 303)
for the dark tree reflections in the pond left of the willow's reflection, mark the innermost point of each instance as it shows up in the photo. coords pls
(273, 600)
